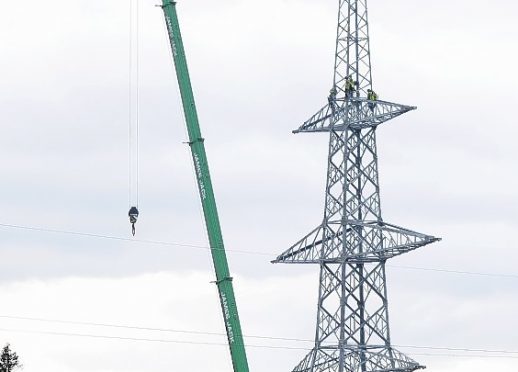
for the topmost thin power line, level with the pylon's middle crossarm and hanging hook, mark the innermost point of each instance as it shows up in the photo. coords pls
(204, 247)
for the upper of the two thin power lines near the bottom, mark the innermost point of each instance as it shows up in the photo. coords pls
(205, 333)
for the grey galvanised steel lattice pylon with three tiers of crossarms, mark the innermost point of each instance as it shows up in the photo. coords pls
(353, 242)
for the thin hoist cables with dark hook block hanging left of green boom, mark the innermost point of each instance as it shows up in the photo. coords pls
(133, 113)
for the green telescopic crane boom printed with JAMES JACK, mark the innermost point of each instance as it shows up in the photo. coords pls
(223, 278)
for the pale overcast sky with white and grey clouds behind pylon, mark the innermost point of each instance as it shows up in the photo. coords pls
(259, 69)
